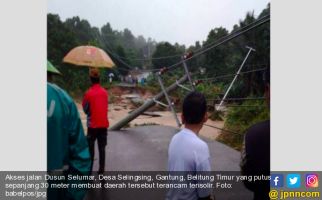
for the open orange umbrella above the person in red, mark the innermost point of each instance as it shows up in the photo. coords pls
(89, 56)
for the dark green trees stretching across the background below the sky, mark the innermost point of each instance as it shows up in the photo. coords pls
(129, 51)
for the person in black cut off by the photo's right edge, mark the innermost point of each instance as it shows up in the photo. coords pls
(255, 154)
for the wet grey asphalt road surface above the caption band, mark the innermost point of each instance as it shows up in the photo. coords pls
(145, 148)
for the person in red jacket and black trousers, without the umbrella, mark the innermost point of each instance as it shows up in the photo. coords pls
(95, 105)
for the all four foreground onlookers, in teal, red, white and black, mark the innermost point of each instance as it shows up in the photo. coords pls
(68, 149)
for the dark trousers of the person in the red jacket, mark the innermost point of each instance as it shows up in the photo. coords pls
(101, 135)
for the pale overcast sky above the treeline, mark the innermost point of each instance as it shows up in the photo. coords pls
(182, 21)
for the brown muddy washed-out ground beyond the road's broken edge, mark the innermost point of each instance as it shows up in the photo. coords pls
(121, 103)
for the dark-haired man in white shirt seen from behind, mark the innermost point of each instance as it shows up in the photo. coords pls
(188, 154)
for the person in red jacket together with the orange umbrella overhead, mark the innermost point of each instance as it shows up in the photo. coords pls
(95, 101)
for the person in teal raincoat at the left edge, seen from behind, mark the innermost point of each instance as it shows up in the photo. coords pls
(67, 148)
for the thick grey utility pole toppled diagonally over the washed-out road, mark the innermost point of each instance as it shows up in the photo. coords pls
(148, 104)
